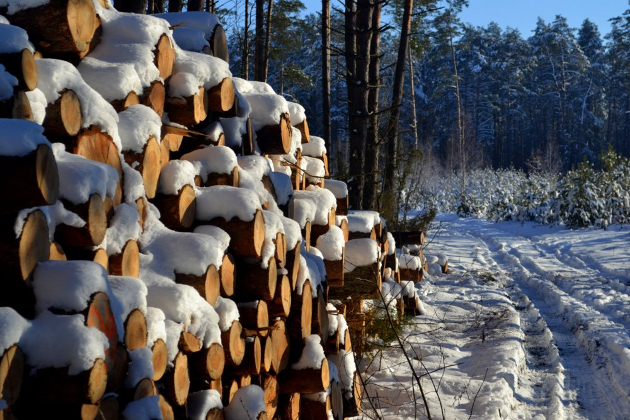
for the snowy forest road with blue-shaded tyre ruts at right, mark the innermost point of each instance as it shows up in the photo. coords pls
(570, 290)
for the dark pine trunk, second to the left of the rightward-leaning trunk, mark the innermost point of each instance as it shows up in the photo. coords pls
(358, 107)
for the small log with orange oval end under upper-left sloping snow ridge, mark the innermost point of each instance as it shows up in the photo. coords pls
(63, 117)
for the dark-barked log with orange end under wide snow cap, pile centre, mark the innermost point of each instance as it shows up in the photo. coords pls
(246, 238)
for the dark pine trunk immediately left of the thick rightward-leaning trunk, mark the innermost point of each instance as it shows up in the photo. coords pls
(372, 140)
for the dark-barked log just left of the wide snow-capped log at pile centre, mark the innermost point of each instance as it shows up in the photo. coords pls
(177, 212)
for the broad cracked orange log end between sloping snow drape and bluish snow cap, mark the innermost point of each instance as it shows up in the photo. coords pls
(99, 146)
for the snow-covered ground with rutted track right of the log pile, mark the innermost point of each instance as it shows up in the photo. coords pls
(531, 322)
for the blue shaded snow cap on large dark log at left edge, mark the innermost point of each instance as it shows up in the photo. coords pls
(20, 137)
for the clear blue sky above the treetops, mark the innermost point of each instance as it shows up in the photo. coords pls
(523, 14)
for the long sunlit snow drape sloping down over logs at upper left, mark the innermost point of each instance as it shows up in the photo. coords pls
(57, 75)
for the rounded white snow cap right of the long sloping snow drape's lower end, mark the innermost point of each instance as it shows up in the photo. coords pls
(136, 125)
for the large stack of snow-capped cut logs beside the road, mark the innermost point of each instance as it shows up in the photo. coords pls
(170, 245)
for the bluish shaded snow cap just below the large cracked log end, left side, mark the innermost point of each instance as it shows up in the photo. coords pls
(80, 177)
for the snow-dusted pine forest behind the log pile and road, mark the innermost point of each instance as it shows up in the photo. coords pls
(482, 96)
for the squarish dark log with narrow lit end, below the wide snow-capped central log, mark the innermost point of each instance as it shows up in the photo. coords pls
(256, 282)
